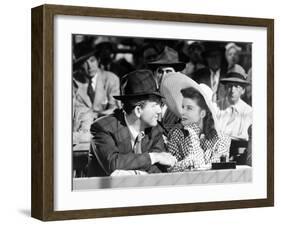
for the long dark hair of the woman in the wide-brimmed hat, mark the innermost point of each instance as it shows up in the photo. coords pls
(208, 121)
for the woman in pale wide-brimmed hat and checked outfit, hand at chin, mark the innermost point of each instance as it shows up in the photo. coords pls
(197, 142)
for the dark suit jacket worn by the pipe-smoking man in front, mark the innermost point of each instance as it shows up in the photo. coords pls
(111, 147)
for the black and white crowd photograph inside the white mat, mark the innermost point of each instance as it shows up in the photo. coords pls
(160, 112)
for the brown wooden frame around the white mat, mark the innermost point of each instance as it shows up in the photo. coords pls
(43, 112)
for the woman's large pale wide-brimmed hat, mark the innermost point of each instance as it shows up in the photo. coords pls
(171, 87)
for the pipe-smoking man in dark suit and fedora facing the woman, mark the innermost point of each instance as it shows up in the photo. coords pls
(130, 140)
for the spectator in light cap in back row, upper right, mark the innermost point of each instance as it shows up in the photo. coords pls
(232, 57)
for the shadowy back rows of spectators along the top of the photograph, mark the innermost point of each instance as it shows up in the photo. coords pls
(122, 55)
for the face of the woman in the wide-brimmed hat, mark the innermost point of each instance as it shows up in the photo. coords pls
(191, 112)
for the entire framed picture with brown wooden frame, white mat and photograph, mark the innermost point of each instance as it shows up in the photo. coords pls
(113, 133)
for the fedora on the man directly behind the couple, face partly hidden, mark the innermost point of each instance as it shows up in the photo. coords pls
(168, 58)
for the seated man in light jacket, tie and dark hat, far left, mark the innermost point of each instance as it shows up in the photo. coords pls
(95, 88)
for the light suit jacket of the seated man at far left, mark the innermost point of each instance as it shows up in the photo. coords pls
(107, 86)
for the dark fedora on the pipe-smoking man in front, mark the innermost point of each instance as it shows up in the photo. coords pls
(138, 84)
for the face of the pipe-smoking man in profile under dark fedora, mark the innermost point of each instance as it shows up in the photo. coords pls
(149, 113)
